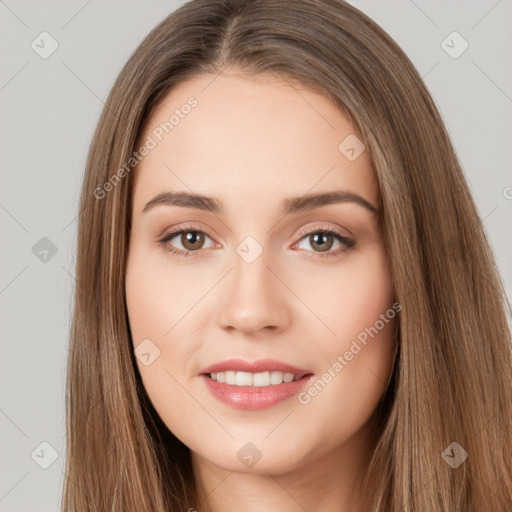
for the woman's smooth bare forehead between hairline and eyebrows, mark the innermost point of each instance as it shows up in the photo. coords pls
(249, 138)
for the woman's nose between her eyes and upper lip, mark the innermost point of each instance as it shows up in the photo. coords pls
(252, 299)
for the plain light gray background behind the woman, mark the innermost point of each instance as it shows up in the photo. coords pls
(49, 109)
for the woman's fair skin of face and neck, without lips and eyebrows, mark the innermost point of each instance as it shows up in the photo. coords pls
(251, 142)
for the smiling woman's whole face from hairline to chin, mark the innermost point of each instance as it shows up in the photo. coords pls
(273, 279)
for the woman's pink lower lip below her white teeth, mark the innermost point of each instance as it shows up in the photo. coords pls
(254, 398)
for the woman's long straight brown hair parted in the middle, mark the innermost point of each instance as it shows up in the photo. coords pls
(453, 372)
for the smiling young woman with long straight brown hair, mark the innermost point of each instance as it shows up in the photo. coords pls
(285, 298)
